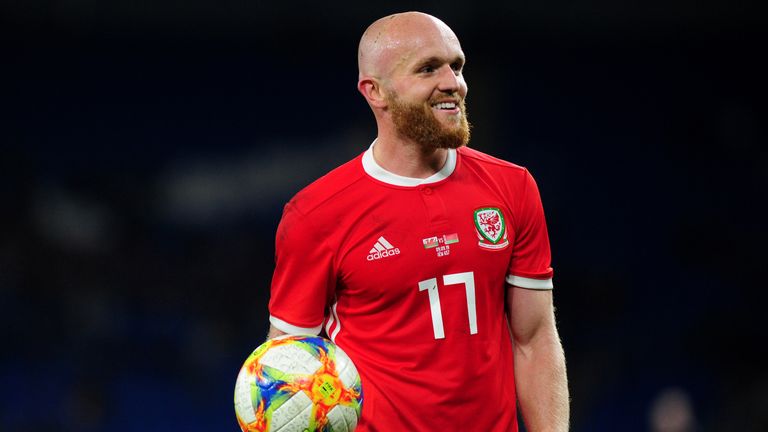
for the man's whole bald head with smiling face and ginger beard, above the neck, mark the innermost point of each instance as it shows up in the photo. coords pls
(417, 61)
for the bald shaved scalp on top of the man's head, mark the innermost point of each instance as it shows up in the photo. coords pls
(387, 42)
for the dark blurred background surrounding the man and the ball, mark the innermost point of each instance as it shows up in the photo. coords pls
(148, 148)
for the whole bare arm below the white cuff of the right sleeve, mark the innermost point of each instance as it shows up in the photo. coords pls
(540, 377)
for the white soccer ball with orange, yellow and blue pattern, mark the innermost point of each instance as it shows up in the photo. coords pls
(298, 384)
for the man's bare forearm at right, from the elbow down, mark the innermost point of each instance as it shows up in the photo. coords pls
(542, 384)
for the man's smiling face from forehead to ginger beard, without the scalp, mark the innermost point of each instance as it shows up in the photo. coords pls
(425, 89)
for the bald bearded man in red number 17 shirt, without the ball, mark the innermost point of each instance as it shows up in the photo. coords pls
(426, 261)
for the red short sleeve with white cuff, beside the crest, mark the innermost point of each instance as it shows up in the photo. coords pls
(530, 265)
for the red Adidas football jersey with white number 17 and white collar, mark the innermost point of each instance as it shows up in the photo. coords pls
(409, 277)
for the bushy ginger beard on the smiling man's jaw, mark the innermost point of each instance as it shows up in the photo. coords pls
(418, 123)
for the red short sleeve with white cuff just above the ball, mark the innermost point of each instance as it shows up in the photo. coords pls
(304, 278)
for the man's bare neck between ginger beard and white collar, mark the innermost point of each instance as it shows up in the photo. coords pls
(408, 159)
